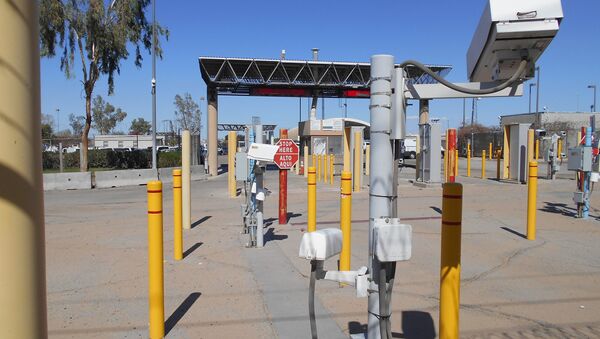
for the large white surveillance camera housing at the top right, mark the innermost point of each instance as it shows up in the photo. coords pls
(510, 31)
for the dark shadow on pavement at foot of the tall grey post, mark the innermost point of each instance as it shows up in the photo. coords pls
(415, 324)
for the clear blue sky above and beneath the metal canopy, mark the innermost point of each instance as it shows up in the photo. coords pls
(437, 32)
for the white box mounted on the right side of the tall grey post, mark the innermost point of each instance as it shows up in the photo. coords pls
(393, 240)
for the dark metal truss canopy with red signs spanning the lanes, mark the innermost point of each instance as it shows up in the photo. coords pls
(297, 78)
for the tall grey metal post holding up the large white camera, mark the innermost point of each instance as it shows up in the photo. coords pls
(381, 178)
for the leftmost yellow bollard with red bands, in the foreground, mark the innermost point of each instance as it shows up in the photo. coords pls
(155, 261)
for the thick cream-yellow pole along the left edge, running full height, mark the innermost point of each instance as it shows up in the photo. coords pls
(22, 245)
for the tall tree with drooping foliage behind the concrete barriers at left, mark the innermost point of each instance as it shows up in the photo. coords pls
(98, 33)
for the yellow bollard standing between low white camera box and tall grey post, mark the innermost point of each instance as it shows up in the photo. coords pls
(346, 220)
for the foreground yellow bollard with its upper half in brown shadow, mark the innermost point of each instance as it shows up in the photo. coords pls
(450, 261)
